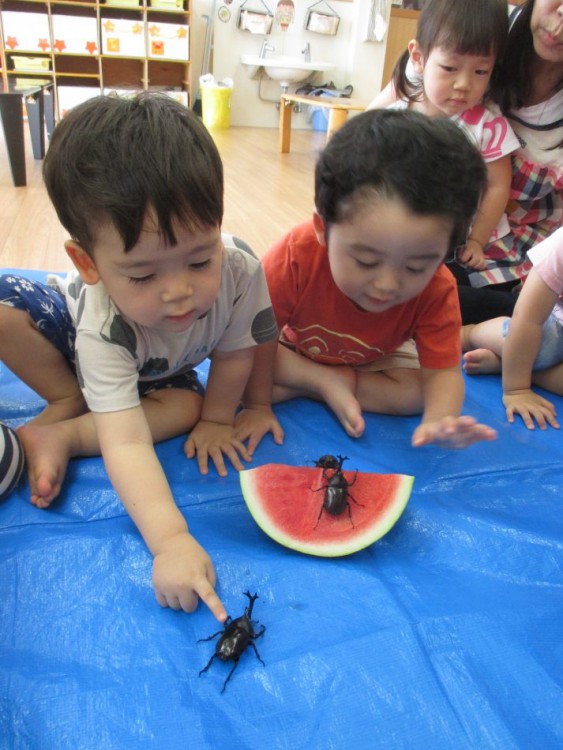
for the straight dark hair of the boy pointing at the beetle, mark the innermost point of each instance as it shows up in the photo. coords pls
(113, 158)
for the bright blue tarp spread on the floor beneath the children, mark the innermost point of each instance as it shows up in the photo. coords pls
(447, 633)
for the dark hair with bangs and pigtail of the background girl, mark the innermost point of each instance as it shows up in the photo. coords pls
(466, 27)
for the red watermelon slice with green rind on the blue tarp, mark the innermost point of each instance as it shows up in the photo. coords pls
(283, 502)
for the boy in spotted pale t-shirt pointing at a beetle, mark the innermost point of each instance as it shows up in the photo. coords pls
(138, 184)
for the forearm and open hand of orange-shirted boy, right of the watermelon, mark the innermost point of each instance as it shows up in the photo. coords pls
(441, 421)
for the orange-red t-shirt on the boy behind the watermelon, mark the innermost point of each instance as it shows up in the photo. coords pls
(321, 323)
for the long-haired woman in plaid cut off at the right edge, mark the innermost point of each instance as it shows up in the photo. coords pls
(528, 86)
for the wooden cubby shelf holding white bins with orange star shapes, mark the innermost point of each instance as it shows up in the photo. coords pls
(89, 48)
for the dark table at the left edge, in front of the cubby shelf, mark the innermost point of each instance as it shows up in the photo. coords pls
(37, 94)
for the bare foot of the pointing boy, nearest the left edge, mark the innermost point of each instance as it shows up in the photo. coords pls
(47, 452)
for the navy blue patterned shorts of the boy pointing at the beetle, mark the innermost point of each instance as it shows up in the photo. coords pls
(47, 307)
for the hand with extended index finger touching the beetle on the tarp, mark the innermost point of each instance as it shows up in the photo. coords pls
(182, 572)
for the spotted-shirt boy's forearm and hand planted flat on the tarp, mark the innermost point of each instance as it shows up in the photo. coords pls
(214, 434)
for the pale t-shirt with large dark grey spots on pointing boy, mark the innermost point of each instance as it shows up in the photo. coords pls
(113, 353)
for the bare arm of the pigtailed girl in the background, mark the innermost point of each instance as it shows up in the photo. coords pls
(492, 207)
